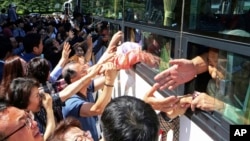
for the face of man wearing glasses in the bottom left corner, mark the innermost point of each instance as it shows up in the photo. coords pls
(18, 126)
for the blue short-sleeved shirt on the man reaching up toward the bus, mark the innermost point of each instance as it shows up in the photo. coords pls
(72, 108)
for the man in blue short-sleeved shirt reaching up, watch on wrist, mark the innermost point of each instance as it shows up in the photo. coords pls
(82, 105)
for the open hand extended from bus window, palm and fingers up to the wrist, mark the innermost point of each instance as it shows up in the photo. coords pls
(181, 71)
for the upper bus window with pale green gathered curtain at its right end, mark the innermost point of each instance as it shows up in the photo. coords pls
(163, 13)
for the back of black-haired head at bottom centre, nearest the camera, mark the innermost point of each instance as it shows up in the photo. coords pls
(127, 118)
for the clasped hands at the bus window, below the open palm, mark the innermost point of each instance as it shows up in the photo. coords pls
(174, 106)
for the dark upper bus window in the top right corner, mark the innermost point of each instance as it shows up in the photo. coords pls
(219, 18)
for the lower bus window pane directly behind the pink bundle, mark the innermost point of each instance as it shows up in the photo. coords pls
(160, 46)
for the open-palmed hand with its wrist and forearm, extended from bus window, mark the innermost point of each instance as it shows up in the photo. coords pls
(181, 71)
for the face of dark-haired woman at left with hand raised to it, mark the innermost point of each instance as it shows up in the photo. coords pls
(34, 100)
